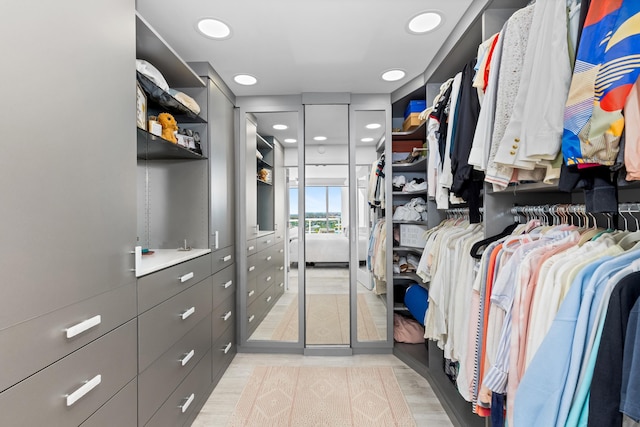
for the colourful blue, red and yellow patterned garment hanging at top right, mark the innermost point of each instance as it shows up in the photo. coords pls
(607, 66)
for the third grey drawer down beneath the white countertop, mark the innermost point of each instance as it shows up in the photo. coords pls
(160, 379)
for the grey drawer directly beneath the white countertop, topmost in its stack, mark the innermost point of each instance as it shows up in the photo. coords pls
(162, 285)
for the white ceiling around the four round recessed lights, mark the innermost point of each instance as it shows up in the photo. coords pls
(297, 46)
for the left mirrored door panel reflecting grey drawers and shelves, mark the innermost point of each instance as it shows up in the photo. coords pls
(272, 308)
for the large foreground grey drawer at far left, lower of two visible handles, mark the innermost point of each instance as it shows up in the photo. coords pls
(69, 391)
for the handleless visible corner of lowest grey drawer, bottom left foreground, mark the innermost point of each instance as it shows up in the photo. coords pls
(120, 410)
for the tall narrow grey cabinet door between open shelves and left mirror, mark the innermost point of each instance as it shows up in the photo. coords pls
(222, 161)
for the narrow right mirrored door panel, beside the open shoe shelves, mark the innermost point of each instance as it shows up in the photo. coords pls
(369, 138)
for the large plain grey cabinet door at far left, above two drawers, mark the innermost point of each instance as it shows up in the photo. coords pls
(69, 197)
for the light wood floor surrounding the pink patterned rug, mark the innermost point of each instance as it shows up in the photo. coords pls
(425, 407)
